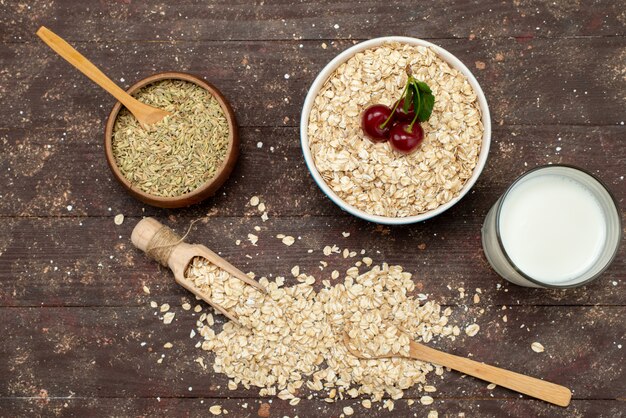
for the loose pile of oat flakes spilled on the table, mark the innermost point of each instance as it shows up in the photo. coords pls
(293, 337)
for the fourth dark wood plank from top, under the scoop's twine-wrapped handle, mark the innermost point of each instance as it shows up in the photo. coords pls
(91, 262)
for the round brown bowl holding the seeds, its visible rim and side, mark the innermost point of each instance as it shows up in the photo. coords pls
(207, 189)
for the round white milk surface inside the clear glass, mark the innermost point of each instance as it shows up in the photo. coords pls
(552, 228)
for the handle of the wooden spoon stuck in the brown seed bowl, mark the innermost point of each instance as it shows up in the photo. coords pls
(82, 64)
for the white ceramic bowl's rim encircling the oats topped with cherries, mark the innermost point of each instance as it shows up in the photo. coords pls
(326, 73)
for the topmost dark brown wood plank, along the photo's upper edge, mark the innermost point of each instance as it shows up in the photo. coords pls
(242, 20)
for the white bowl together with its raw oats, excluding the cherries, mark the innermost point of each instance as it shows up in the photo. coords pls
(371, 179)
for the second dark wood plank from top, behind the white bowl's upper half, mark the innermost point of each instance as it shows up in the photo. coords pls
(540, 81)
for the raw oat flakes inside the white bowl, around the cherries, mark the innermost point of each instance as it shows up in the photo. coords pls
(372, 177)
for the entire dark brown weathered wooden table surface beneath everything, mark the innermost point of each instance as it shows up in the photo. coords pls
(78, 335)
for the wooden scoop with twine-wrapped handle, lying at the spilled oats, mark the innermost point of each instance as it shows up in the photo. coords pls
(150, 235)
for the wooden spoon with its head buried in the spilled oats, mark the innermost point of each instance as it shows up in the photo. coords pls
(537, 388)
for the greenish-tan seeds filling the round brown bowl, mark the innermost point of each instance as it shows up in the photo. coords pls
(178, 154)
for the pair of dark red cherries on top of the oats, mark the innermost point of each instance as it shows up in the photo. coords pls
(381, 123)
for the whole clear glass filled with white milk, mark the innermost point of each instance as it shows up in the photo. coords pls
(556, 226)
